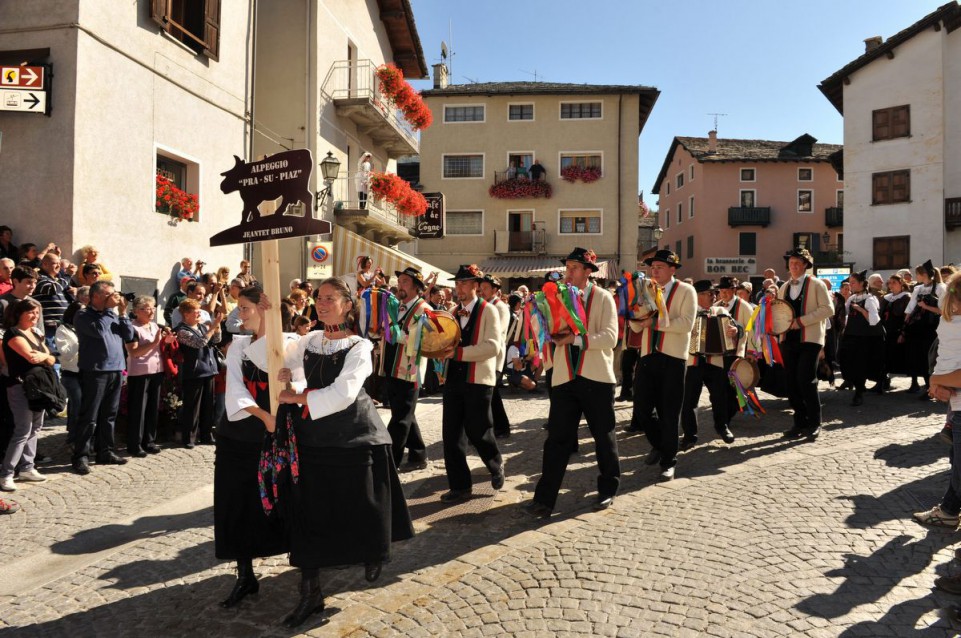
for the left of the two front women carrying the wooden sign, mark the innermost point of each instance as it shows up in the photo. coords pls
(242, 531)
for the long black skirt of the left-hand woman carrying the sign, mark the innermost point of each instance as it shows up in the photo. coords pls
(241, 528)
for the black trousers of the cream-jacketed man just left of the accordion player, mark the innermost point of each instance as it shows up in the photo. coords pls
(659, 385)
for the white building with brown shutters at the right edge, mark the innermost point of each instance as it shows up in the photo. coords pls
(901, 102)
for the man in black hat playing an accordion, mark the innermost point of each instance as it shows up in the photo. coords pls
(707, 370)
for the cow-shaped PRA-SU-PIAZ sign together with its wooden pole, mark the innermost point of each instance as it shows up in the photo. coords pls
(285, 177)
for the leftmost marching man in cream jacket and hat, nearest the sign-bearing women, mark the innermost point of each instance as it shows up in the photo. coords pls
(403, 376)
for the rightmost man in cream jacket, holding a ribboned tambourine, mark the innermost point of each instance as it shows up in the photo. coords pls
(801, 344)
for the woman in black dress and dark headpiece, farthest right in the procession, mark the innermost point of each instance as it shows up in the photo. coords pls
(921, 325)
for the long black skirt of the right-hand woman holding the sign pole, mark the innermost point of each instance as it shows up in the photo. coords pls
(346, 507)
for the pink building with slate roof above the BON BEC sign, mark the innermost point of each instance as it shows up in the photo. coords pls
(734, 207)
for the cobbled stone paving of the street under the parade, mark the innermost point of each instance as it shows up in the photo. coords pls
(765, 537)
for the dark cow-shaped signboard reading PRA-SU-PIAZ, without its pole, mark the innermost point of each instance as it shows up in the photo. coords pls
(284, 176)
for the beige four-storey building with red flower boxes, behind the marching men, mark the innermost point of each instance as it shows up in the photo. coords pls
(481, 130)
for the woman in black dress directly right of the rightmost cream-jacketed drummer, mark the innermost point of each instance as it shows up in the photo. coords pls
(862, 344)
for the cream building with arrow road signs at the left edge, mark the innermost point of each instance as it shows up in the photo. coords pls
(130, 94)
